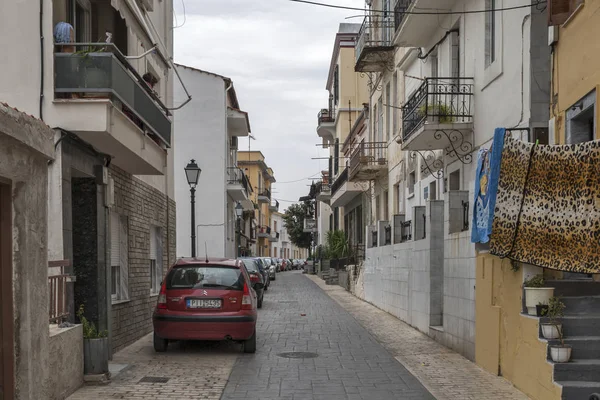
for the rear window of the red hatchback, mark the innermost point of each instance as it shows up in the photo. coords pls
(205, 276)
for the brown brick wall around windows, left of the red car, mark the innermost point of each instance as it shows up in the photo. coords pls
(144, 207)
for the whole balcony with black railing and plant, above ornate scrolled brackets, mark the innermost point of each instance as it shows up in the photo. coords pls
(438, 115)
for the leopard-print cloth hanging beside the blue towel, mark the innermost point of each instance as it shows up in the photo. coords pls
(548, 206)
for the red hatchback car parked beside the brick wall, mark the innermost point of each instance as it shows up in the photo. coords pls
(209, 299)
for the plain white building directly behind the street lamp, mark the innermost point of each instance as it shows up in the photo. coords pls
(208, 130)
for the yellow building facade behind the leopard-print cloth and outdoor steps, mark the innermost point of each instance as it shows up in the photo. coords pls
(507, 341)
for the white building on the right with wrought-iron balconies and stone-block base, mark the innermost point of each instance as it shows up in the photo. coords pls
(440, 85)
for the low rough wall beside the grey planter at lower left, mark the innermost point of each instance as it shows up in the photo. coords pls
(66, 361)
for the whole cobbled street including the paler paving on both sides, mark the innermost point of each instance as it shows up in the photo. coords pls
(330, 356)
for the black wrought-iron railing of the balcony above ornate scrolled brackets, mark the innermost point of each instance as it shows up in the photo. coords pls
(438, 100)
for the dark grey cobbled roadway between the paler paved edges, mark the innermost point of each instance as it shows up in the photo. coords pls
(349, 364)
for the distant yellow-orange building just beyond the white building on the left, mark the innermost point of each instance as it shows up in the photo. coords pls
(260, 177)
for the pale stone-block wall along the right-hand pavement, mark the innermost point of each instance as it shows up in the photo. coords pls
(426, 282)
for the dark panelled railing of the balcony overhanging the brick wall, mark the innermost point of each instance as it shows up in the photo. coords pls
(101, 70)
